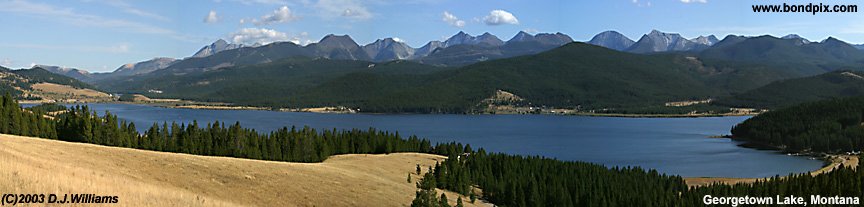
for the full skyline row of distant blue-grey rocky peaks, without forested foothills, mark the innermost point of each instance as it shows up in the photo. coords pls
(458, 50)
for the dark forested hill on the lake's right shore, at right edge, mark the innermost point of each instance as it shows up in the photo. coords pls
(829, 126)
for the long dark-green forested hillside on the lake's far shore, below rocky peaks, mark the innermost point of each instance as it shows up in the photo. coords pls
(576, 75)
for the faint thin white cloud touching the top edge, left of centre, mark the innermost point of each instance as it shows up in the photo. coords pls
(349, 9)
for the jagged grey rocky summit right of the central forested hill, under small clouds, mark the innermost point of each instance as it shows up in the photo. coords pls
(657, 41)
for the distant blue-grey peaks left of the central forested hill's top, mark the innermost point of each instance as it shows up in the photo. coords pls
(460, 49)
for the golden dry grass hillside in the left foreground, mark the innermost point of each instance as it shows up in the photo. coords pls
(145, 178)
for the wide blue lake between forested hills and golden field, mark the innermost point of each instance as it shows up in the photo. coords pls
(671, 145)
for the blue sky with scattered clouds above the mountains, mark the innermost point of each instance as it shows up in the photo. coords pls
(102, 35)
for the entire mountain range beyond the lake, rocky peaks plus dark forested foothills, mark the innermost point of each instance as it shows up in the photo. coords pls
(457, 72)
